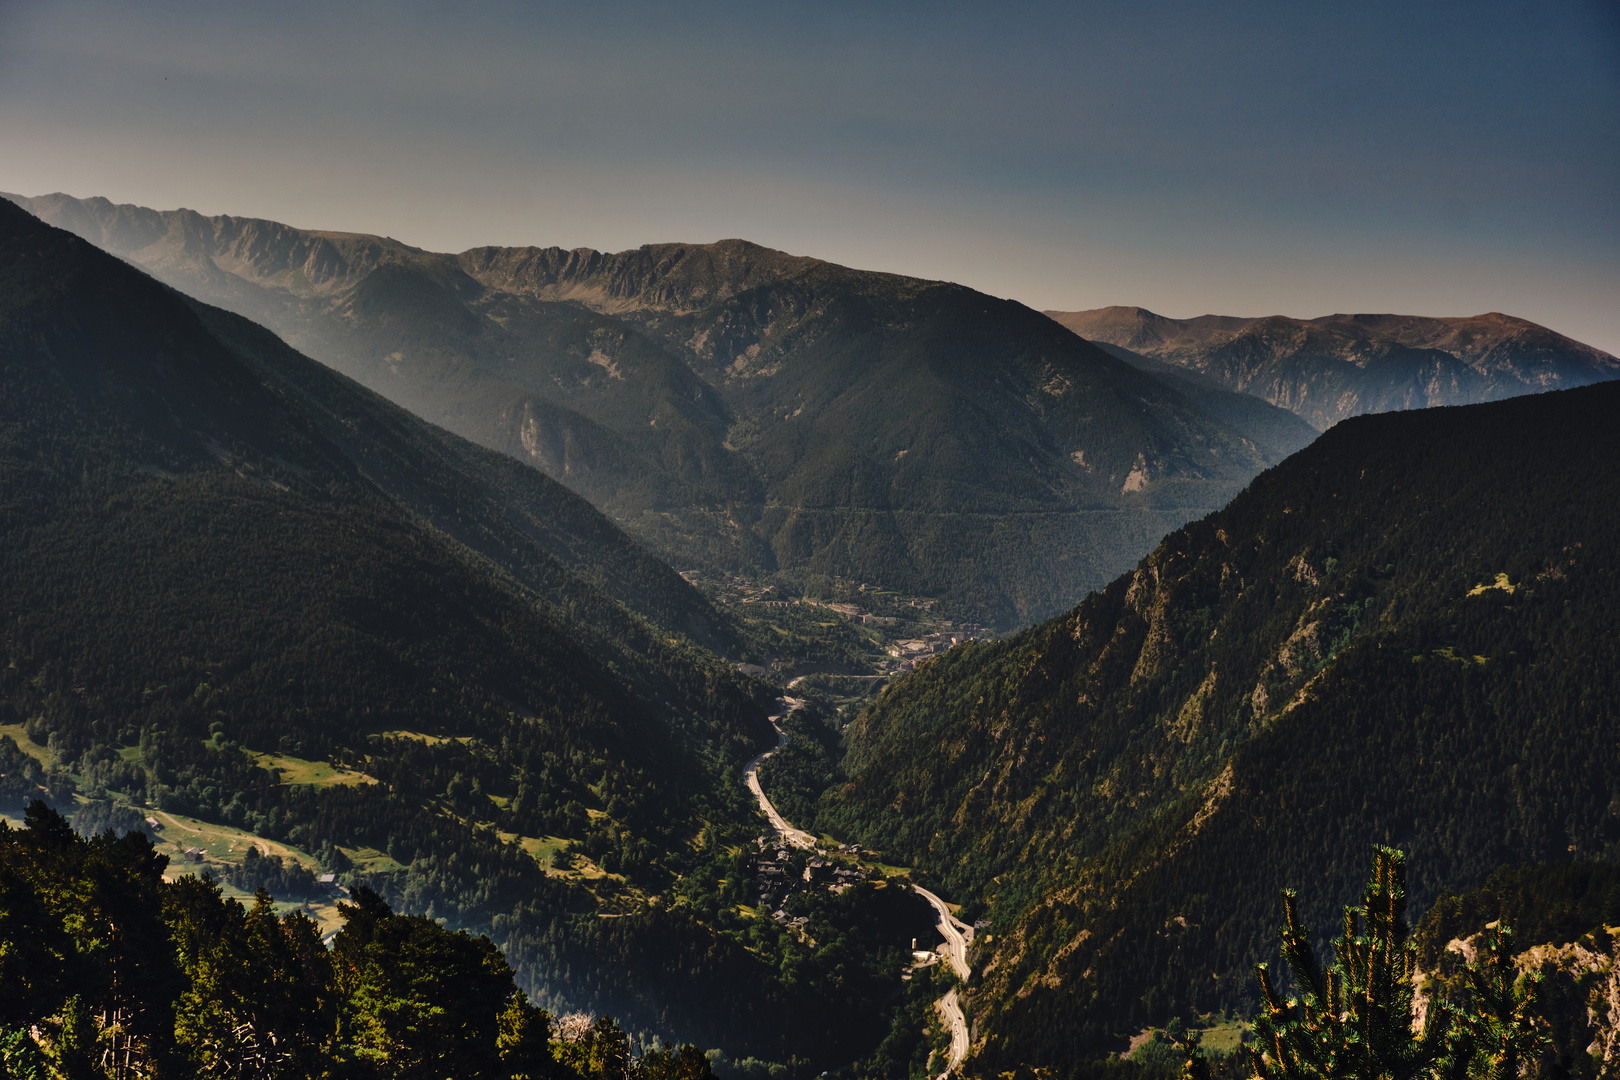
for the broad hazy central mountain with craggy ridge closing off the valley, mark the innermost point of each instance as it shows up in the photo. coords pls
(749, 410)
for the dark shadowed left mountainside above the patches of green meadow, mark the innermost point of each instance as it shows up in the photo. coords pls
(213, 511)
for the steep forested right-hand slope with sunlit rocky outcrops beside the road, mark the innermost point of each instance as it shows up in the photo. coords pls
(1405, 634)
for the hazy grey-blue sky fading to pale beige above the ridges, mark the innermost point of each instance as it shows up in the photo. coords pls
(1232, 158)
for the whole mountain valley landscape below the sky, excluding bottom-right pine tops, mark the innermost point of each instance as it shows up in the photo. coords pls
(463, 593)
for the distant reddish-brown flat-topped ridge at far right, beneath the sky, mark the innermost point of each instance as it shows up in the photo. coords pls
(1337, 367)
